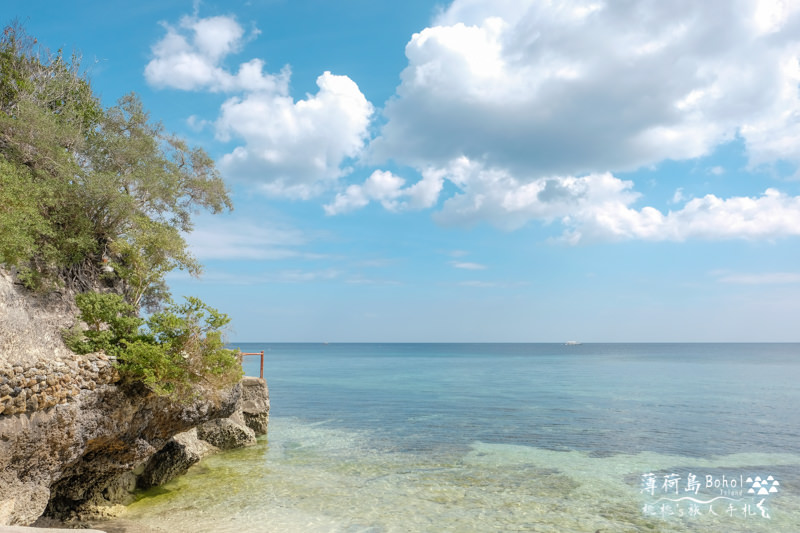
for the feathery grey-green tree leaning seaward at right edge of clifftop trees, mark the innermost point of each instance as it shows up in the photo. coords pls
(146, 186)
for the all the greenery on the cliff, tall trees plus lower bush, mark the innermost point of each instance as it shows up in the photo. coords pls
(98, 199)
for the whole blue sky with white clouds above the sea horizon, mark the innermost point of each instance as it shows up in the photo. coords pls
(475, 170)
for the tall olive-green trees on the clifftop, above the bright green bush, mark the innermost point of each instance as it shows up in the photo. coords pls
(80, 183)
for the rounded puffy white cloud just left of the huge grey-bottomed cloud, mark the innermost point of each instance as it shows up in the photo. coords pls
(295, 148)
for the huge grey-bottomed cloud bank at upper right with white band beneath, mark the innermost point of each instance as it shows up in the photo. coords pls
(527, 107)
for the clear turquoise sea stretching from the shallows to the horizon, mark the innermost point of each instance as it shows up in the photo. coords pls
(508, 437)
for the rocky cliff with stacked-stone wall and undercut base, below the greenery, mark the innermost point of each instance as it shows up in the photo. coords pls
(70, 434)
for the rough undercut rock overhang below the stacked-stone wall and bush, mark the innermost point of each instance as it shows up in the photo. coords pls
(63, 458)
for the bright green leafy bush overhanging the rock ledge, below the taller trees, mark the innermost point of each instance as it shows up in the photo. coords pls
(175, 350)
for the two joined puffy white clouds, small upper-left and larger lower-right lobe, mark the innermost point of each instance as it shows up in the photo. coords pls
(288, 148)
